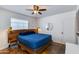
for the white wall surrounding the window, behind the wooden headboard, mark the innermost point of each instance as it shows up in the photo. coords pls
(5, 17)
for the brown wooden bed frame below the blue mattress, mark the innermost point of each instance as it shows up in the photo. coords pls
(36, 51)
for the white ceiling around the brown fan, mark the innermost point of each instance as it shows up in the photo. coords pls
(51, 9)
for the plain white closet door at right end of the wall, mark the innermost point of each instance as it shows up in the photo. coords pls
(69, 28)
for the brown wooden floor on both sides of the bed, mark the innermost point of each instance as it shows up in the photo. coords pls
(55, 48)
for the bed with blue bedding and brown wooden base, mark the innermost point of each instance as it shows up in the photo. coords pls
(34, 42)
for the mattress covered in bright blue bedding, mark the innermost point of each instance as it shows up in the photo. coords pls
(34, 41)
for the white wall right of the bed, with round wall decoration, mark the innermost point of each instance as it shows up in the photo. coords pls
(64, 22)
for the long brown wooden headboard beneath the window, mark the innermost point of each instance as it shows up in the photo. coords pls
(12, 36)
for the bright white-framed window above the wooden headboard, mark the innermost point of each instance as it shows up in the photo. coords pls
(19, 24)
